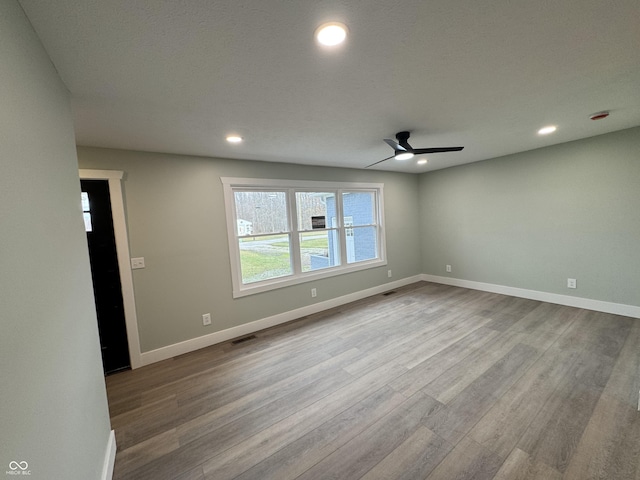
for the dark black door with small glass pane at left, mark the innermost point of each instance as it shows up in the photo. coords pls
(107, 289)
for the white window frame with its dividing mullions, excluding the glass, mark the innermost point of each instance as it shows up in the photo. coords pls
(232, 184)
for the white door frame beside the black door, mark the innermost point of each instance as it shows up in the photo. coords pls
(114, 177)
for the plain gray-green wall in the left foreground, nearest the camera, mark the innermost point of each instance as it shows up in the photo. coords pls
(53, 408)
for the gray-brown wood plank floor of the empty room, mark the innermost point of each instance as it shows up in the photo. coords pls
(430, 382)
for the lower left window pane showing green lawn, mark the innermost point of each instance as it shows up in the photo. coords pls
(264, 257)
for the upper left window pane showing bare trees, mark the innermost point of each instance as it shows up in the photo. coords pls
(258, 213)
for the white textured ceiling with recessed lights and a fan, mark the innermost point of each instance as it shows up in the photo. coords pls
(176, 76)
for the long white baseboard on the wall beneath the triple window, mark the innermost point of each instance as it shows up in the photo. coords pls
(187, 346)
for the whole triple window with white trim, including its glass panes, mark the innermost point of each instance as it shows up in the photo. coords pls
(285, 232)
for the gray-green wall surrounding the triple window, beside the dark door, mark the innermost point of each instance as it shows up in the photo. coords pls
(176, 220)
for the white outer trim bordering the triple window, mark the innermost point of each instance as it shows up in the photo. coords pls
(241, 290)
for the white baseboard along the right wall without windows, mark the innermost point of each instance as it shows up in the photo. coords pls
(579, 302)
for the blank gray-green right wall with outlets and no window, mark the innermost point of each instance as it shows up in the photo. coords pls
(534, 219)
